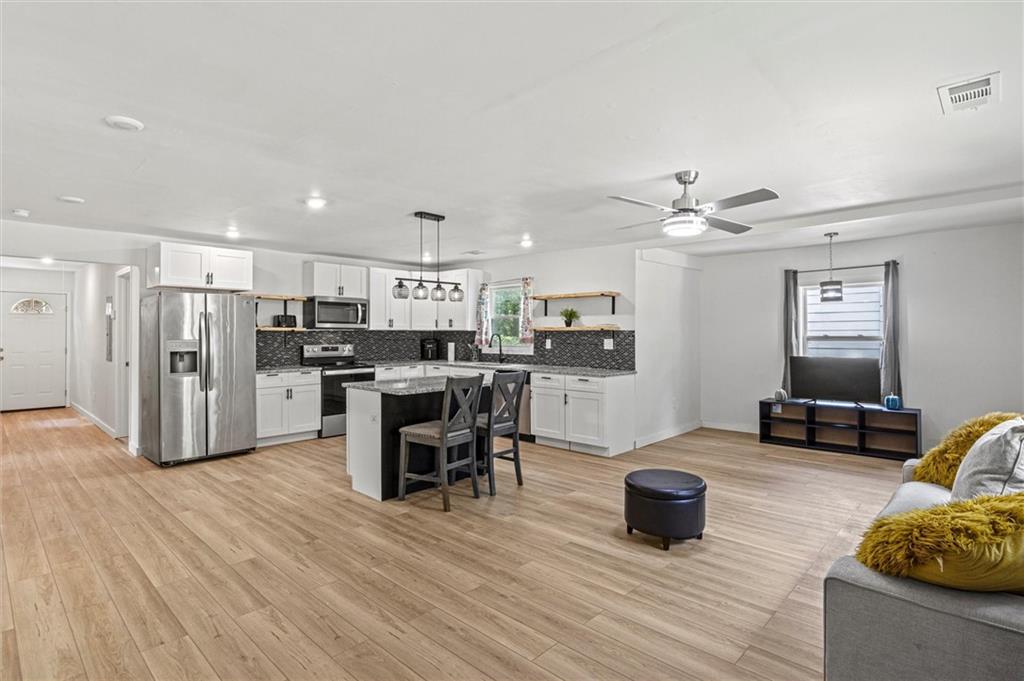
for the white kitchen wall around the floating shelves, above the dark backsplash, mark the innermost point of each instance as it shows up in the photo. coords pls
(602, 269)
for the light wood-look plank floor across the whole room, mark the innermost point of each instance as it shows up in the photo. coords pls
(268, 567)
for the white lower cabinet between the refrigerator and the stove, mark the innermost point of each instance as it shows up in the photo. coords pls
(288, 405)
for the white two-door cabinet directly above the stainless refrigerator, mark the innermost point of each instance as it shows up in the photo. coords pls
(196, 267)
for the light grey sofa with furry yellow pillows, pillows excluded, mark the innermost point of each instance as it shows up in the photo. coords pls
(881, 628)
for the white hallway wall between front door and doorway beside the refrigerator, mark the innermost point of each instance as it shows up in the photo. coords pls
(93, 391)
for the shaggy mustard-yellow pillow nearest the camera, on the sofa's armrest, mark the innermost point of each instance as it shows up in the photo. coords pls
(976, 545)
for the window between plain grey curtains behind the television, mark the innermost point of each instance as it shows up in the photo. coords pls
(851, 328)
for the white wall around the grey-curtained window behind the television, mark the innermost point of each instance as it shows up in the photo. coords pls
(963, 310)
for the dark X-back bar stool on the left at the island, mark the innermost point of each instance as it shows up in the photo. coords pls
(462, 406)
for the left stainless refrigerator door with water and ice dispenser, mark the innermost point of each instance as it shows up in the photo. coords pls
(183, 403)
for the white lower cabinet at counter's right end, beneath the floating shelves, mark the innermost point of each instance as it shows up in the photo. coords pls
(584, 414)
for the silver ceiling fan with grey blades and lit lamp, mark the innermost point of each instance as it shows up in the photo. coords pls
(689, 218)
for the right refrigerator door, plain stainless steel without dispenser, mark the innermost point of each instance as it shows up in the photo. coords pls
(232, 373)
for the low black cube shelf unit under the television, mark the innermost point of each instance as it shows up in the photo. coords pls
(848, 428)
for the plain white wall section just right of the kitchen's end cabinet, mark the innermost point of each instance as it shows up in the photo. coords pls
(668, 345)
